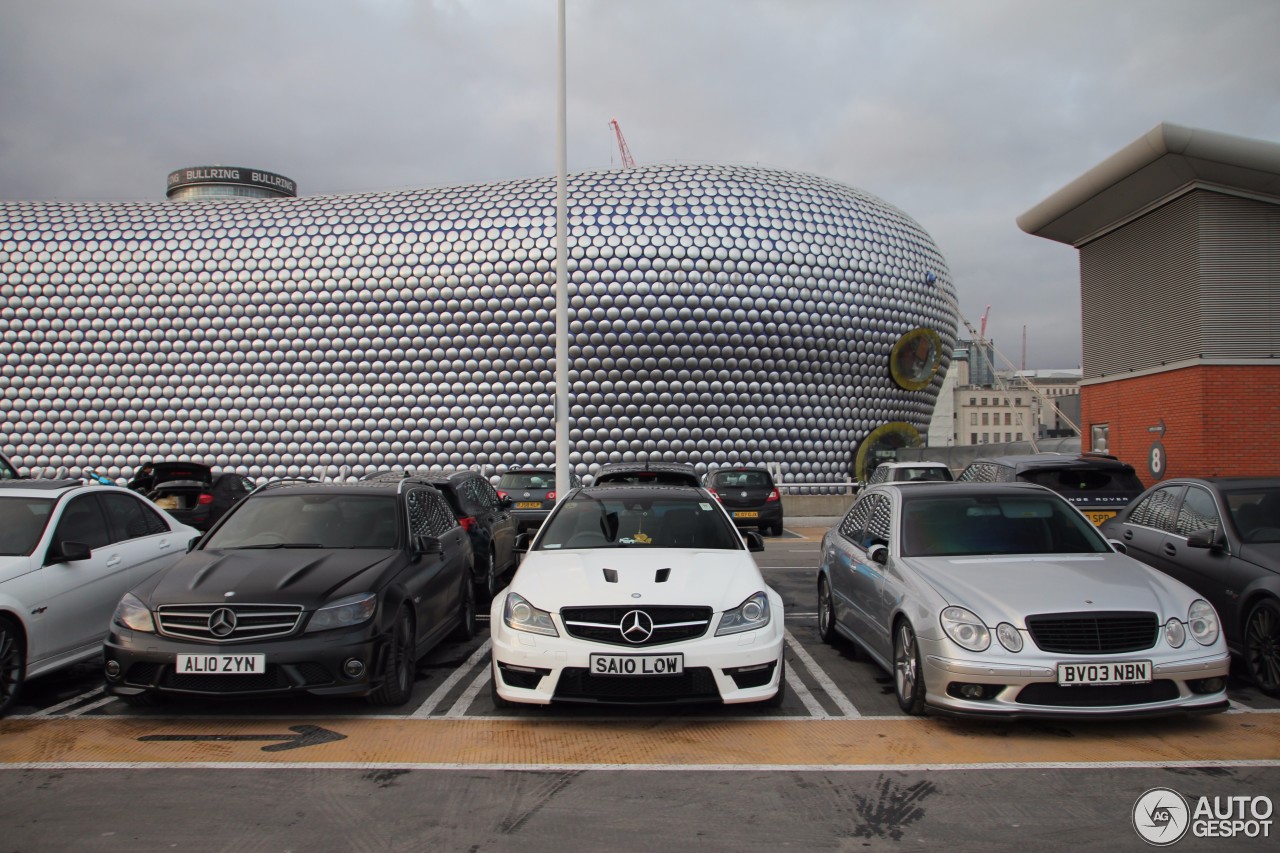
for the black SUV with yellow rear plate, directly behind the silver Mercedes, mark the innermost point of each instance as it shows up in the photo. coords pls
(1096, 485)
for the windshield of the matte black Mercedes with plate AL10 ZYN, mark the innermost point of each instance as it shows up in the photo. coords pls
(310, 522)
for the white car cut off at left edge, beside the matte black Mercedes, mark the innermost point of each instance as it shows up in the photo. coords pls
(68, 553)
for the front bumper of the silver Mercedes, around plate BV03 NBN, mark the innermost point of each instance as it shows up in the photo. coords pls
(1182, 682)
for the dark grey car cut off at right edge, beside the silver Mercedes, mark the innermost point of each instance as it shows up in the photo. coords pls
(1220, 537)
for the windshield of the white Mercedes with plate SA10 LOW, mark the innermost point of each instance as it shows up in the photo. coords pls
(639, 522)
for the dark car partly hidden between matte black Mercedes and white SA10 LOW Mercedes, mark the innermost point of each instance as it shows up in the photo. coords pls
(487, 518)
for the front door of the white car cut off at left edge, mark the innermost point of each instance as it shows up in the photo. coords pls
(72, 601)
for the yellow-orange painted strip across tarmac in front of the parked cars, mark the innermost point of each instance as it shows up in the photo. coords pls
(762, 743)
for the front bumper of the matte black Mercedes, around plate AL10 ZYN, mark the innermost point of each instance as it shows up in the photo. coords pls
(298, 664)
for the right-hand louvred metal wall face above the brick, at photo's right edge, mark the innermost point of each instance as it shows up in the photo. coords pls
(1240, 263)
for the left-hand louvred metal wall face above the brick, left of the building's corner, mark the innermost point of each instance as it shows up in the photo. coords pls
(1140, 289)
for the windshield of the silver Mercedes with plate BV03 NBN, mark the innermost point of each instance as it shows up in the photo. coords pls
(948, 527)
